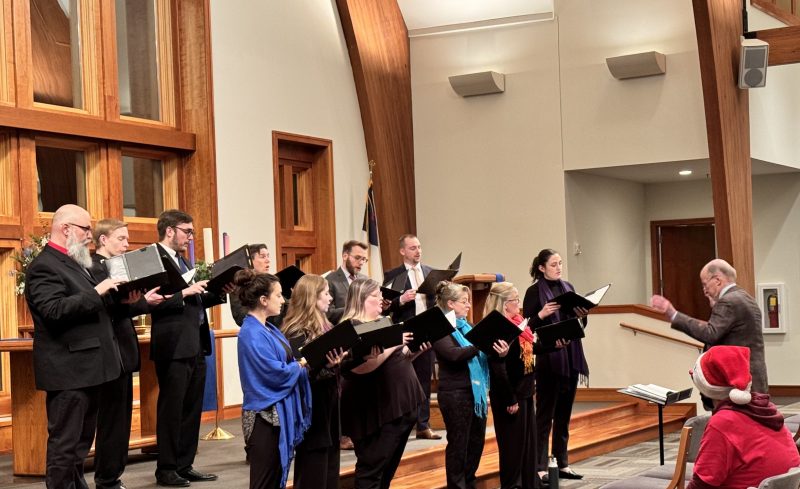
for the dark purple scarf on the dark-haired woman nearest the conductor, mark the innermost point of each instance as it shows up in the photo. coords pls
(568, 361)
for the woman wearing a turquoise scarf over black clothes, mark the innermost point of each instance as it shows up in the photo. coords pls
(463, 388)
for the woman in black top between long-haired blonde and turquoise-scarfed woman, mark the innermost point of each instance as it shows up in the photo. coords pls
(380, 394)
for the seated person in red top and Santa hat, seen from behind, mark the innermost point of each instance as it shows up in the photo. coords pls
(745, 440)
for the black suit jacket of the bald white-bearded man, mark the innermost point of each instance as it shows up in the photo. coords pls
(73, 339)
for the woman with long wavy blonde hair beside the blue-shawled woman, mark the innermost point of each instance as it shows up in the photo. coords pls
(316, 462)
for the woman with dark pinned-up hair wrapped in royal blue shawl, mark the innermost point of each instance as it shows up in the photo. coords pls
(276, 410)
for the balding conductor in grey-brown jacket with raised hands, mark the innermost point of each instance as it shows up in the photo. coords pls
(735, 318)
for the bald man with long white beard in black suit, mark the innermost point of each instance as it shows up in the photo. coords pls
(74, 351)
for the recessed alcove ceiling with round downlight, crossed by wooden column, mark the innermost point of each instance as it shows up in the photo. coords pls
(668, 171)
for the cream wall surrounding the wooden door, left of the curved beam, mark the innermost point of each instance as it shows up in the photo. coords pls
(280, 66)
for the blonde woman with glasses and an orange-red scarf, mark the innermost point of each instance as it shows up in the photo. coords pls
(511, 396)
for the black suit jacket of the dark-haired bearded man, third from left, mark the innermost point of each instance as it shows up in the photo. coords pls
(180, 326)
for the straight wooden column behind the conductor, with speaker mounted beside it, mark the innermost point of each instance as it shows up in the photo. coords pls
(719, 26)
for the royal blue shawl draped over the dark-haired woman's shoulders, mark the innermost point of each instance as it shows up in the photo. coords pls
(271, 377)
